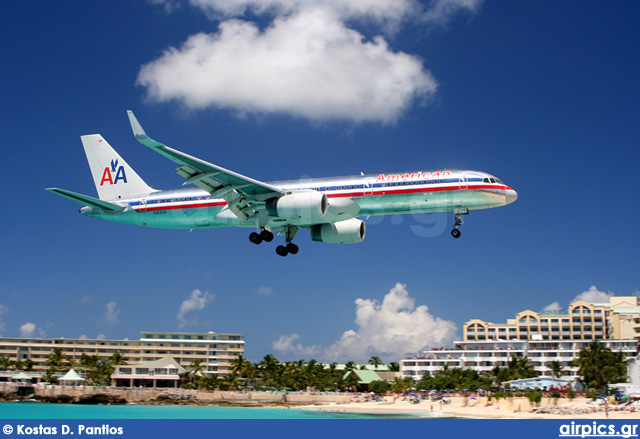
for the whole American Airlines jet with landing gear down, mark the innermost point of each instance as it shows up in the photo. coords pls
(329, 207)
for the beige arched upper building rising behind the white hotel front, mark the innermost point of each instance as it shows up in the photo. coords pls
(619, 319)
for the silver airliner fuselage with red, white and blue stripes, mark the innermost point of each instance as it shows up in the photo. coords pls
(349, 197)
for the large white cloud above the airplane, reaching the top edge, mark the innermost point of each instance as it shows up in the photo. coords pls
(308, 62)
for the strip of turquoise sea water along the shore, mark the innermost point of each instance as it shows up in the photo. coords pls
(37, 410)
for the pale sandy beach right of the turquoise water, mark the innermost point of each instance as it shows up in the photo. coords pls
(517, 408)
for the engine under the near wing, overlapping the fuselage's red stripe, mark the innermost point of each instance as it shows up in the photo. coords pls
(302, 205)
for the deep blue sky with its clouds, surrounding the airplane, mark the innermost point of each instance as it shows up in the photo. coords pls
(544, 96)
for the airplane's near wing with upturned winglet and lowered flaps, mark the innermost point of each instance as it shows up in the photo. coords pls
(241, 193)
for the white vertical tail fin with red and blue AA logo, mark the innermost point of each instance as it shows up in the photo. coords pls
(113, 177)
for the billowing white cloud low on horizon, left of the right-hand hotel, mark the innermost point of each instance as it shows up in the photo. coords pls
(388, 329)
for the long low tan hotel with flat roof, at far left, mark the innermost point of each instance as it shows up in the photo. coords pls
(215, 351)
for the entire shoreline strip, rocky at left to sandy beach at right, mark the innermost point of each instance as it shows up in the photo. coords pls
(459, 407)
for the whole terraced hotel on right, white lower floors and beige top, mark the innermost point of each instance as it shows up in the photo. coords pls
(543, 337)
